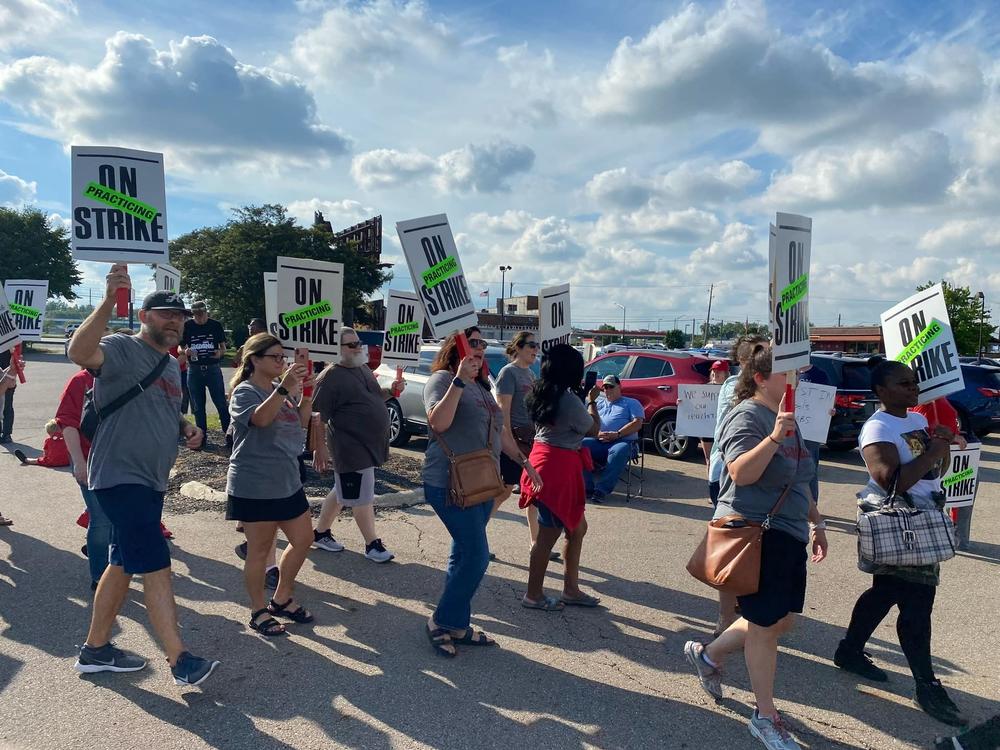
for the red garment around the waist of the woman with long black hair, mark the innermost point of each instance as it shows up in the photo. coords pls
(561, 471)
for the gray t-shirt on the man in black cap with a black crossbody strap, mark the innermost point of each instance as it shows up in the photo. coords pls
(138, 443)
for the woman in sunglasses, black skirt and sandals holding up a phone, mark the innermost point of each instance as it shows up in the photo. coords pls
(264, 486)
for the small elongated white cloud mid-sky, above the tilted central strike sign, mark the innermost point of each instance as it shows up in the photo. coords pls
(475, 168)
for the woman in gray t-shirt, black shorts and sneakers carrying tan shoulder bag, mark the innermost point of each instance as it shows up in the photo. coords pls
(763, 453)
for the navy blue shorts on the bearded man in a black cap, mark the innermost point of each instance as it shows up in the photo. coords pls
(137, 544)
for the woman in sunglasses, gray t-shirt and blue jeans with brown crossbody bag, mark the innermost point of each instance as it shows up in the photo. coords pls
(461, 409)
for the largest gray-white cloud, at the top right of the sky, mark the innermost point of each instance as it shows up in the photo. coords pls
(734, 65)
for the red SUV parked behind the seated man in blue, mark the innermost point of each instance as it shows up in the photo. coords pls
(652, 377)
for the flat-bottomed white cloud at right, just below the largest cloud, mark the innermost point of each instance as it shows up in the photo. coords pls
(914, 169)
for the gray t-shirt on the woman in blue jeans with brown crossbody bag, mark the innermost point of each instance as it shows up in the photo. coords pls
(468, 431)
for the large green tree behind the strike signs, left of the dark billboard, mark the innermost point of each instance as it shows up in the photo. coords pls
(223, 265)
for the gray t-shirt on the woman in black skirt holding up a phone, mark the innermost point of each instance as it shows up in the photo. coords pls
(264, 462)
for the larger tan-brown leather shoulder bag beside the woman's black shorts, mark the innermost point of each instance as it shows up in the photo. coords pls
(728, 558)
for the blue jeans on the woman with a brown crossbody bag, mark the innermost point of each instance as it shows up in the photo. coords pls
(469, 558)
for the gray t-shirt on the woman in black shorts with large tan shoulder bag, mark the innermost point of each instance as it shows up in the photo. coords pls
(746, 425)
